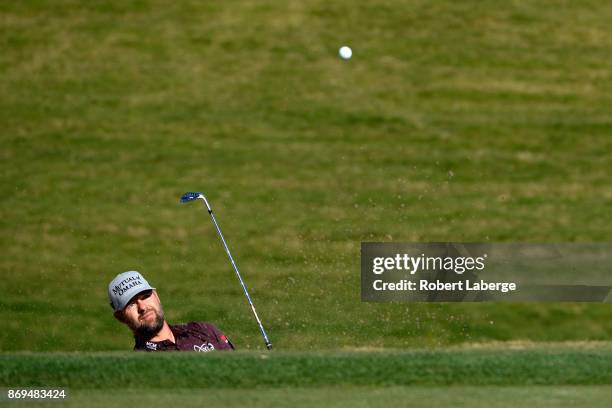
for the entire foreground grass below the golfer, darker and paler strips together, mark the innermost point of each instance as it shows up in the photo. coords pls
(536, 376)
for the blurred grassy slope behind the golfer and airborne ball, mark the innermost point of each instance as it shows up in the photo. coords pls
(477, 121)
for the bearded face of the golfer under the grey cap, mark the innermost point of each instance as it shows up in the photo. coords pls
(144, 314)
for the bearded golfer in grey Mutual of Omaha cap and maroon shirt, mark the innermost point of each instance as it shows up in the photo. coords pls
(137, 305)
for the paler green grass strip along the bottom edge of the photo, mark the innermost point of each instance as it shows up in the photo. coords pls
(460, 396)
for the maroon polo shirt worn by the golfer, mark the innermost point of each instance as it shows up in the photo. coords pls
(193, 336)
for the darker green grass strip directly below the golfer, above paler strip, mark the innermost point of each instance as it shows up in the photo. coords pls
(247, 370)
